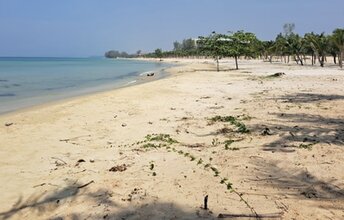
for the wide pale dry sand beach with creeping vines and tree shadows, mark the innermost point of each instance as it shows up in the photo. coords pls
(290, 165)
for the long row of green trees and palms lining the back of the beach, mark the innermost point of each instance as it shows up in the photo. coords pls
(287, 46)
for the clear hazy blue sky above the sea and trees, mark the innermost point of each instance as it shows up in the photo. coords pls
(82, 28)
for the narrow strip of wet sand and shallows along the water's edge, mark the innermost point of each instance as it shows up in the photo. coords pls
(139, 79)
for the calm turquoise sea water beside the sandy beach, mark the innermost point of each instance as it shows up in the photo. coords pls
(26, 82)
